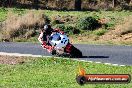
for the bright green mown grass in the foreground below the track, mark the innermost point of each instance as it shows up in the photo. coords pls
(56, 73)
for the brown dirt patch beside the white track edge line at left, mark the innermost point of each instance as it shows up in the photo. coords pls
(12, 60)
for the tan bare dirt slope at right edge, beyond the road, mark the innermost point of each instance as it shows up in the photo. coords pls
(122, 32)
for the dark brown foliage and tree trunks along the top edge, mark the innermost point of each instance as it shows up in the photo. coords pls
(69, 4)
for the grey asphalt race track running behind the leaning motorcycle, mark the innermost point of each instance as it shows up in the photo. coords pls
(121, 55)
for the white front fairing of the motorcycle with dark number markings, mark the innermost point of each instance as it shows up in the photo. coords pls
(59, 40)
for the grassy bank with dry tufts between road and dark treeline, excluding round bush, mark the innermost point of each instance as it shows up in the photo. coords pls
(112, 31)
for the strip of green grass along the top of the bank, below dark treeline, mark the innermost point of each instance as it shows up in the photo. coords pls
(114, 15)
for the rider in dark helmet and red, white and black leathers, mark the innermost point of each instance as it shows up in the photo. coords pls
(44, 36)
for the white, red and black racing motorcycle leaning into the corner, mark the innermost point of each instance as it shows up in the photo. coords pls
(62, 46)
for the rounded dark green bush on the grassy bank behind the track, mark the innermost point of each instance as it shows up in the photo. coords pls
(87, 23)
